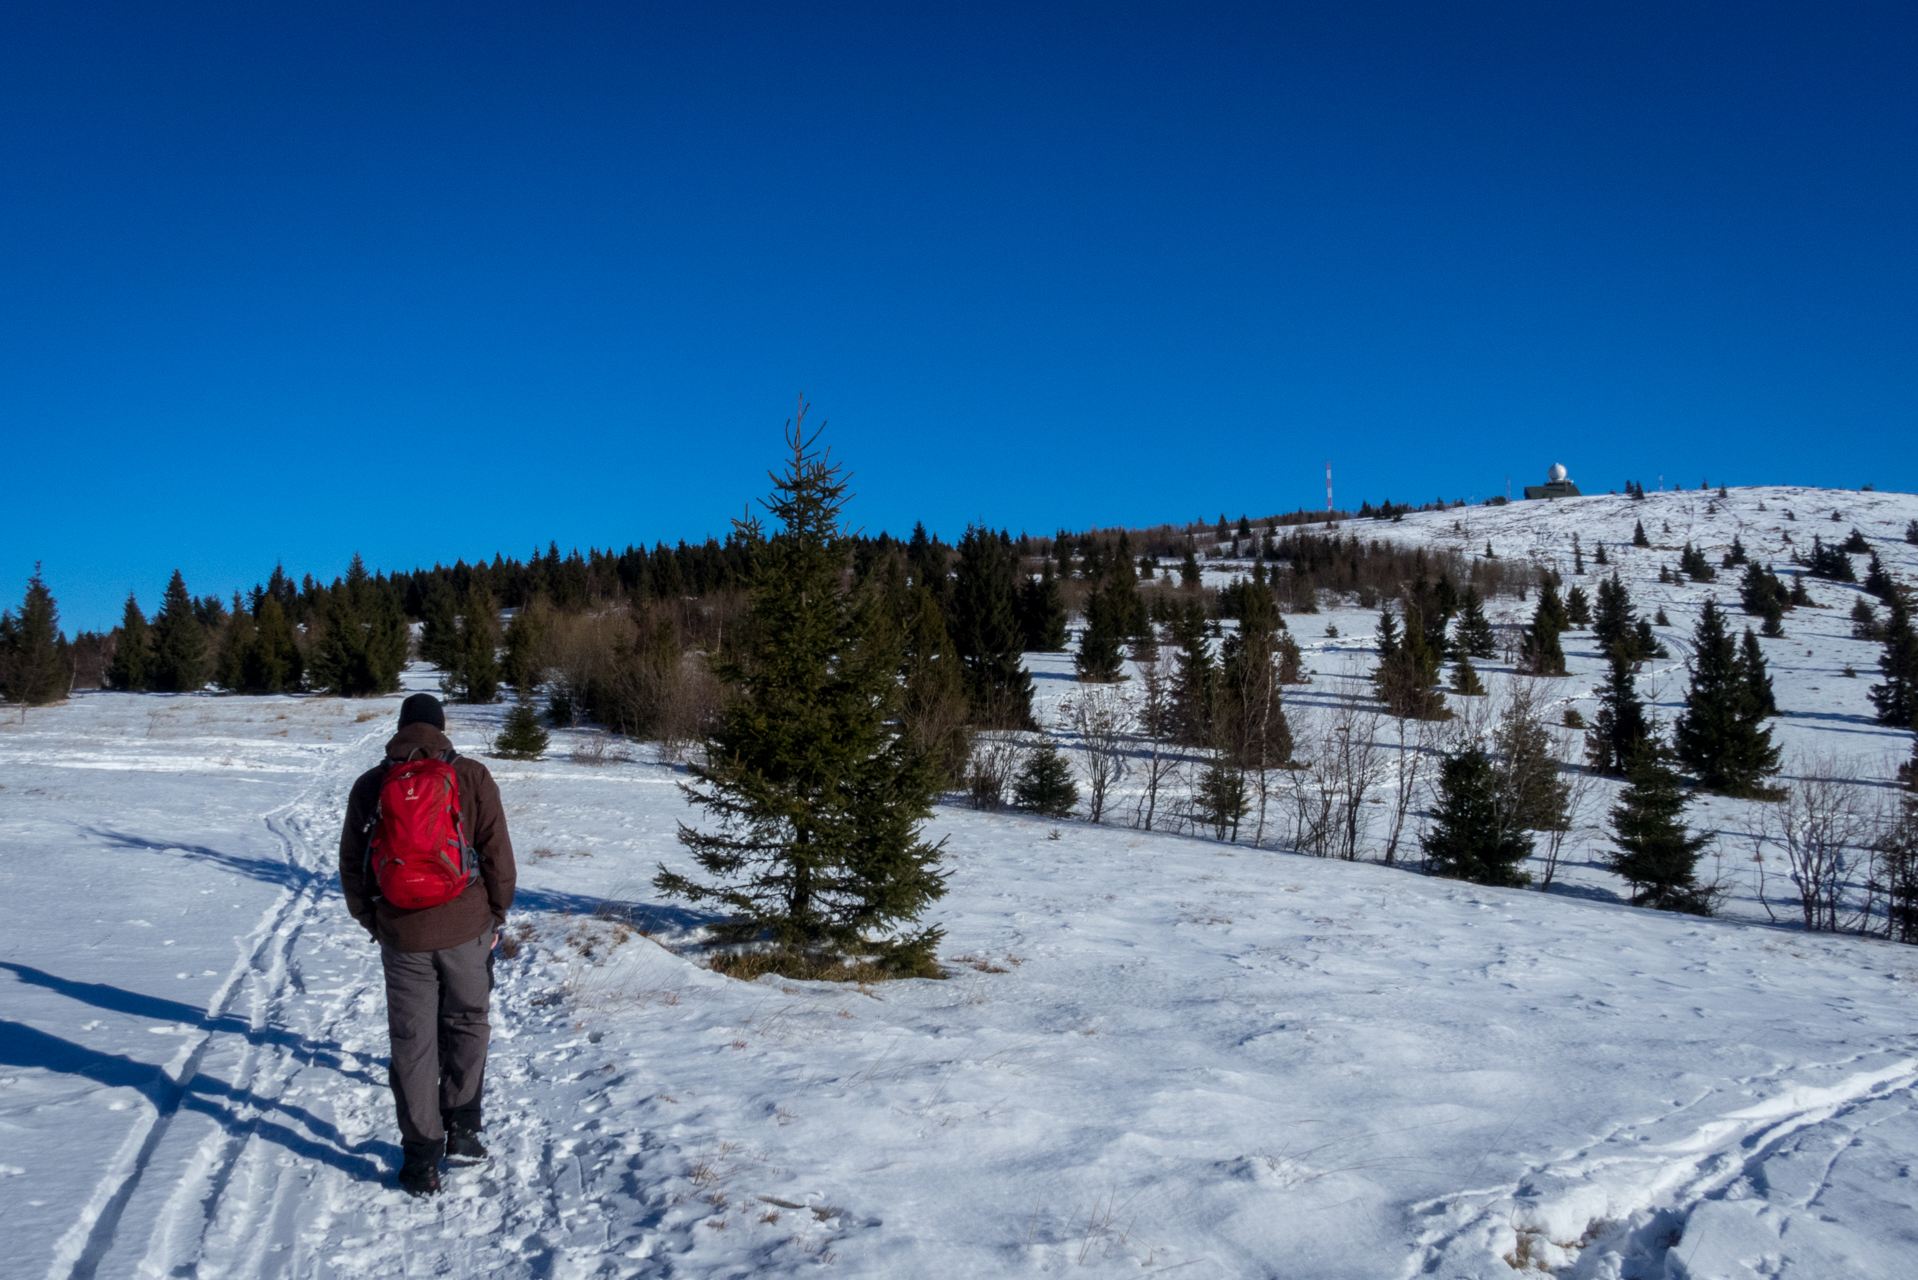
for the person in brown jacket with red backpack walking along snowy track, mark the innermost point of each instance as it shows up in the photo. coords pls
(433, 886)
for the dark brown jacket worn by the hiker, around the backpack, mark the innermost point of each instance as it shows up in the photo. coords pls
(486, 899)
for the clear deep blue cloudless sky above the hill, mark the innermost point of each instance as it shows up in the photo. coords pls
(287, 281)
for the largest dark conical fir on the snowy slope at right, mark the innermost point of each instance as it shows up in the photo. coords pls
(1721, 736)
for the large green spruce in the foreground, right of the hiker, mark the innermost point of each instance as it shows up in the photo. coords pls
(816, 797)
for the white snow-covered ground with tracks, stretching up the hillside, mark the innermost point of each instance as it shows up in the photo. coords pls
(1156, 1053)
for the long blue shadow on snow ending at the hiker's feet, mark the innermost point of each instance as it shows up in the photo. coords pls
(24, 1047)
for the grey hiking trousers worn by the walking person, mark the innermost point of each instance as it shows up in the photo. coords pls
(436, 1007)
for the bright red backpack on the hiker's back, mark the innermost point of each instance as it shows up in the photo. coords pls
(419, 851)
